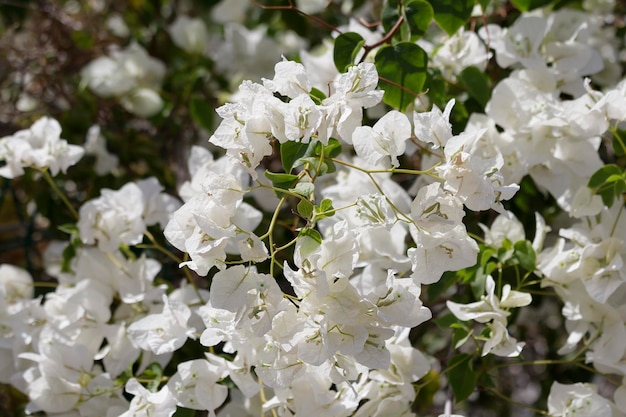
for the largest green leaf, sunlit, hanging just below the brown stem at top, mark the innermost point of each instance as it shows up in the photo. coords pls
(402, 71)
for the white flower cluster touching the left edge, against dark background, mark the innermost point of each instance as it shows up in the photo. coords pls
(40, 146)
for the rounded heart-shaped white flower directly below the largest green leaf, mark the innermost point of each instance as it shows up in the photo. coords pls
(386, 139)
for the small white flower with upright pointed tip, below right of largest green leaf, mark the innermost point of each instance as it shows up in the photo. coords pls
(434, 126)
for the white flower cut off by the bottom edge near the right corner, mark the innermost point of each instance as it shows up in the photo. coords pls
(577, 399)
